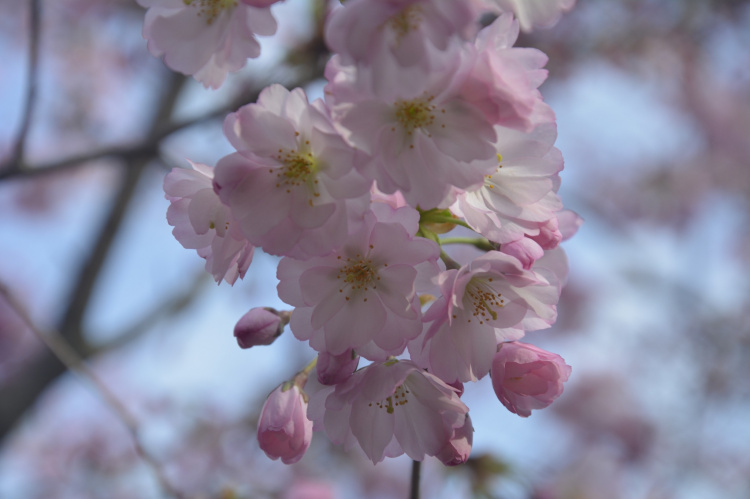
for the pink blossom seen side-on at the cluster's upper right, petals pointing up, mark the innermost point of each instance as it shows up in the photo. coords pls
(504, 79)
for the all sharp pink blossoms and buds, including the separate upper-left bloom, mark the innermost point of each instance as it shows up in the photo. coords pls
(430, 124)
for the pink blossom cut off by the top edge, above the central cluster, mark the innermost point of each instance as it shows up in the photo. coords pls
(367, 31)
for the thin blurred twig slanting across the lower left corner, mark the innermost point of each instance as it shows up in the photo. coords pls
(65, 353)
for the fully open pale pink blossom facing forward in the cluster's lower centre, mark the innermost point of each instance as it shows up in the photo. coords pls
(361, 296)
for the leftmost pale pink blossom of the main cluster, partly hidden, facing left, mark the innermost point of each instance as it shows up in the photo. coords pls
(203, 223)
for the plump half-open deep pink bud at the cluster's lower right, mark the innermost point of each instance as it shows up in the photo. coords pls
(526, 377)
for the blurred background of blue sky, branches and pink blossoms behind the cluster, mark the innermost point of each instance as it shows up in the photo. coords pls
(653, 106)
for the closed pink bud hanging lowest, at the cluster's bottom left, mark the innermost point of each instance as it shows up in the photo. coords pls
(283, 429)
